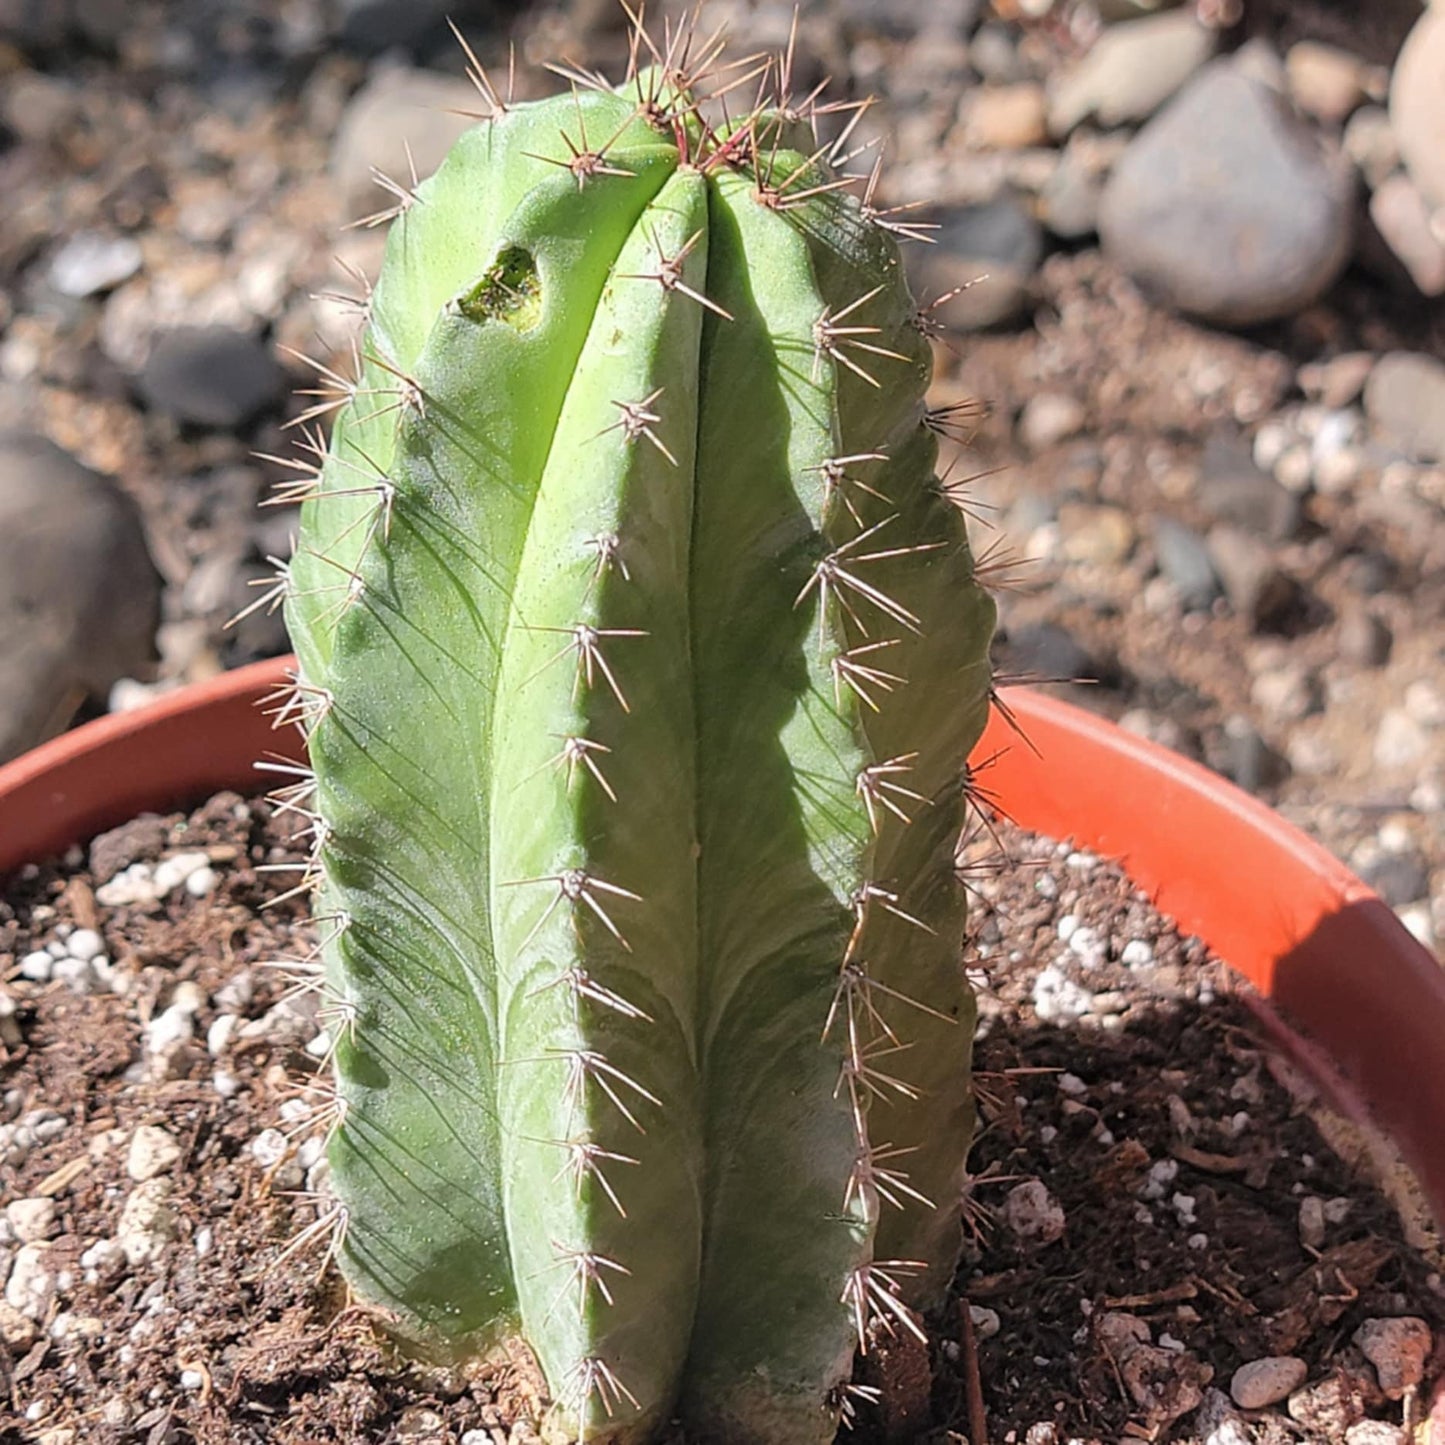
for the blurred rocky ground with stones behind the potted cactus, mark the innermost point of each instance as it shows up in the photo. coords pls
(1204, 255)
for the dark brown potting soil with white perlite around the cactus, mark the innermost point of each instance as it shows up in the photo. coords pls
(1154, 1119)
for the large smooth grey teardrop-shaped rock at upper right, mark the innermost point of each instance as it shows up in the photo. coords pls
(1229, 206)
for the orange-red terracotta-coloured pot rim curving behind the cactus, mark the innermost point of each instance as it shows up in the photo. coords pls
(1316, 941)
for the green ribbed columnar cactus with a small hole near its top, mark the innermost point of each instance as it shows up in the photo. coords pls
(641, 658)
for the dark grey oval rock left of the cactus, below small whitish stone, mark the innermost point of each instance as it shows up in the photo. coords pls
(212, 376)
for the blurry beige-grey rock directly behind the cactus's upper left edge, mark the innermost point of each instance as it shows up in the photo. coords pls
(395, 111)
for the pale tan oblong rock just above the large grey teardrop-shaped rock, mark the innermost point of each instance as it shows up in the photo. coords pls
(1131, 72)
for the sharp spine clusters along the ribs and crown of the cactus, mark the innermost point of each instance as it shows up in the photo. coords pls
(665, 79)
